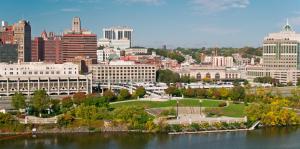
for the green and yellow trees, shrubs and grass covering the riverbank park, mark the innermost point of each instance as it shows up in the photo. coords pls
(94, 113)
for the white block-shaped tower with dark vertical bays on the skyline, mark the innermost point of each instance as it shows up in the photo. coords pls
(117, 37)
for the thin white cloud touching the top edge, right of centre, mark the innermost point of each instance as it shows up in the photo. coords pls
(209, 6)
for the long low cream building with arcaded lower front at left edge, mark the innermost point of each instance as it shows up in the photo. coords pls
(56, 79)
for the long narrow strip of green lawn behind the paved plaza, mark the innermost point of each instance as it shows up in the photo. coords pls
(172, 103)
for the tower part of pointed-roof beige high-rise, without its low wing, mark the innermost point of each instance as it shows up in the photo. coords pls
(281, 50)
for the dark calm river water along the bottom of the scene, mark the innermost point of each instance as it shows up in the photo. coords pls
(270, 138)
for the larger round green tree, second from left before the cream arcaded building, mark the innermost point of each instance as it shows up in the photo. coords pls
(40, 100)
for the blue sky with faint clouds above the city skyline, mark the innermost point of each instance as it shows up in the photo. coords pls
(185, 23)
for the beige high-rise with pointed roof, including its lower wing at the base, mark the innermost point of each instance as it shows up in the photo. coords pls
(281, 57)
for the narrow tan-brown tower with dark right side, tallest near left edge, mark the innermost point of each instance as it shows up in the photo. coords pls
(22, 37)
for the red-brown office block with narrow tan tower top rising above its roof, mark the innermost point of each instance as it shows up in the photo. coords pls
(82, 43)
